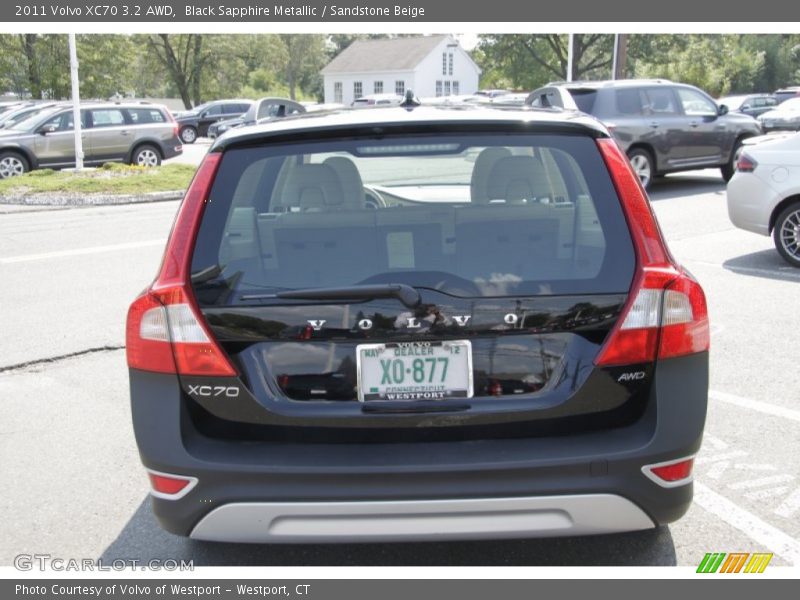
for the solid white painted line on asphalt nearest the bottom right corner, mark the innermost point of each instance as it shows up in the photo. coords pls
(752, 526)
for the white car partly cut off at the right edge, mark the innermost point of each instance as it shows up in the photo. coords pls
(764, 193)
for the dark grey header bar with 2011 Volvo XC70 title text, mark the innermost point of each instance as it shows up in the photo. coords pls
(398, 11)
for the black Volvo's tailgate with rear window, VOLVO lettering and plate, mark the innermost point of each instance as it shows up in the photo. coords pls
(519, 252)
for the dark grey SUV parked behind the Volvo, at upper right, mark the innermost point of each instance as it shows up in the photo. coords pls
(663, 127)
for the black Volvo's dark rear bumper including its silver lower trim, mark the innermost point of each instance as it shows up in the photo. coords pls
(546, 486)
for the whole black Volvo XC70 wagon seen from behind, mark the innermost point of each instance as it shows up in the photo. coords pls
(417, 323)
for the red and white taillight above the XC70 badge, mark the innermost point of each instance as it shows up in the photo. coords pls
(165, 330)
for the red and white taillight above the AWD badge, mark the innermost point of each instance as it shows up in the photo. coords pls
(666, 314)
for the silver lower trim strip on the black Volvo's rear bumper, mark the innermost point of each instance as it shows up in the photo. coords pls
(408, 520)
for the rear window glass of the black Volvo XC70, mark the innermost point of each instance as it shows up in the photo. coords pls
(471, 215)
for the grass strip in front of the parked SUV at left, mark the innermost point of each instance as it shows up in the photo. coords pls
(111, 178)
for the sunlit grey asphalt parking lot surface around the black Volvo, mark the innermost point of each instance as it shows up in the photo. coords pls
(75, 488)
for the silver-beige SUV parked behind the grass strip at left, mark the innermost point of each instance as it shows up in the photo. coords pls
(135, 133)
